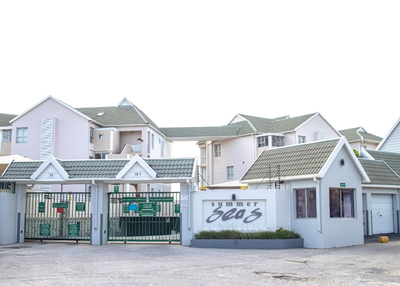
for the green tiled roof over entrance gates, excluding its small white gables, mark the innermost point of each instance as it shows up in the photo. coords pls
(108, 169)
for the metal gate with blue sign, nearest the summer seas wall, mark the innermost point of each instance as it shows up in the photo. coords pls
(142, 216)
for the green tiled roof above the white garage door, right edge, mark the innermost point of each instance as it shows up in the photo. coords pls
(379, 173)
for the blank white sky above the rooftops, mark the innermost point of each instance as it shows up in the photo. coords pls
(198, 63)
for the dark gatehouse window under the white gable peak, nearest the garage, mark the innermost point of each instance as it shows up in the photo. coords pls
(341, 203)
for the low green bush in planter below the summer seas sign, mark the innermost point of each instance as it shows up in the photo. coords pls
(234, 234)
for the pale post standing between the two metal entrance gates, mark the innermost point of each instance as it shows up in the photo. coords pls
(99, 214)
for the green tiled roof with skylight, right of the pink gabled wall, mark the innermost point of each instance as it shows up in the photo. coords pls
(116, 116)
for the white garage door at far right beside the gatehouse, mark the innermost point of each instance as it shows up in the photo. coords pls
(382, 214)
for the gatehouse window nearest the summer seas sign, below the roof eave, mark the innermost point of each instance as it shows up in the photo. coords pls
(306, 203)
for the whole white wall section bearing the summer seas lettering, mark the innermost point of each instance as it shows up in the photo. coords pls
(252, 210)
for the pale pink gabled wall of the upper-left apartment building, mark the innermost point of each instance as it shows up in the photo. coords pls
(71, 132)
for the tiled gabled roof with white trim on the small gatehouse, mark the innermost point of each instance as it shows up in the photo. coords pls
(299, 161)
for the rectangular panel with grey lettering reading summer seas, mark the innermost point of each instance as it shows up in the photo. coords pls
(246, 215)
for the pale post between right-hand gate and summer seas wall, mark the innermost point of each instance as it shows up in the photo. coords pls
(186, 227)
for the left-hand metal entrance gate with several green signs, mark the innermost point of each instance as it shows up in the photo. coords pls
(57, 216)
